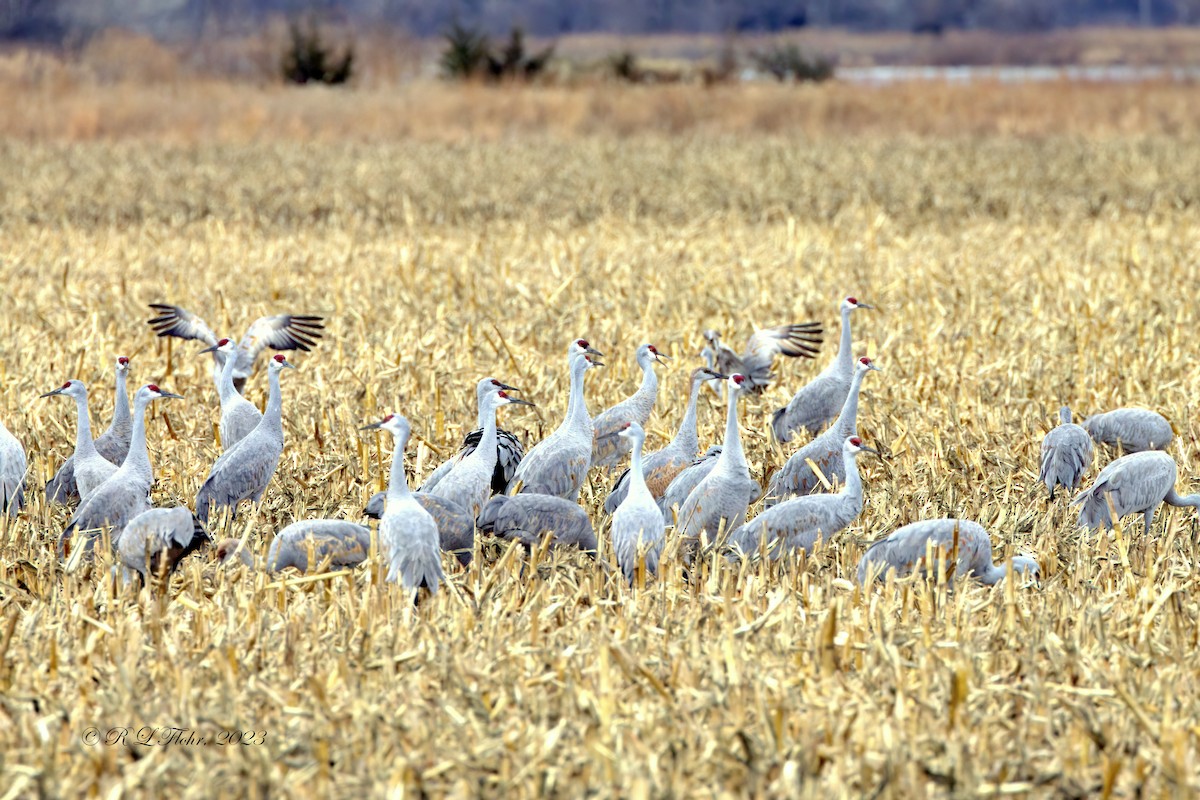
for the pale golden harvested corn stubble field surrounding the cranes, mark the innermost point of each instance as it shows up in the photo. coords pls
(1012, 275)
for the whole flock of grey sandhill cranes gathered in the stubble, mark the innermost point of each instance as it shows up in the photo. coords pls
(496, 488)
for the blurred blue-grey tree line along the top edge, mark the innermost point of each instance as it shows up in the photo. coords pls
(56, 20)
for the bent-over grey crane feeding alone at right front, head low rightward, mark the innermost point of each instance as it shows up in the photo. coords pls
(921, 545)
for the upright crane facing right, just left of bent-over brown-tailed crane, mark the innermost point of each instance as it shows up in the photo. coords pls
(127, 495)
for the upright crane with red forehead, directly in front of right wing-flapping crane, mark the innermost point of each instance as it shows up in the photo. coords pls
(721, 501)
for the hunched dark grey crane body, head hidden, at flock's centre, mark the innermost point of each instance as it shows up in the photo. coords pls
(530, 518)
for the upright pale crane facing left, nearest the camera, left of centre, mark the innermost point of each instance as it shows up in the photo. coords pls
(409, 536)
